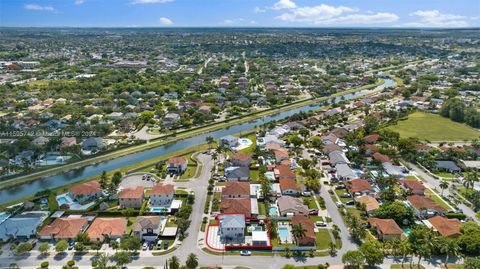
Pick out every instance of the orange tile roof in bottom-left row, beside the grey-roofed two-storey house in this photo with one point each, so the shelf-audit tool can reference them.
(107, 226)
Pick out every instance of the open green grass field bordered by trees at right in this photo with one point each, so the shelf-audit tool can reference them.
(432, 127)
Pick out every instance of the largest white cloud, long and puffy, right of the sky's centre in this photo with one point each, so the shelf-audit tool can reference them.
(340, 15)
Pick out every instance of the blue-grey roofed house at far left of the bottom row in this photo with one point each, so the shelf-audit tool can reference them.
(22, 226)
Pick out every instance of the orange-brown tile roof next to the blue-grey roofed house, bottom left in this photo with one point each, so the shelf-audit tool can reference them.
(64, 228)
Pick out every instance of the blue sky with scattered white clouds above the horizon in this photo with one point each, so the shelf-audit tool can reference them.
(241, 13)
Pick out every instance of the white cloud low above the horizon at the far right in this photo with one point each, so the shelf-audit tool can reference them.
(434, 18)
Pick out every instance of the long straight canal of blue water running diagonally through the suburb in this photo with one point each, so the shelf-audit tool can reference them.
(17, 192)
